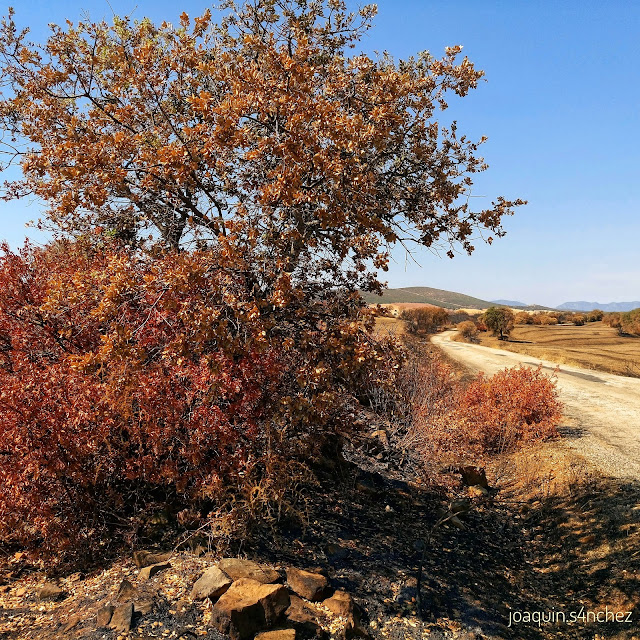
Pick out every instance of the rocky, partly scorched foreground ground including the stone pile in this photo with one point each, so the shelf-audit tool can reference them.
(549, 535)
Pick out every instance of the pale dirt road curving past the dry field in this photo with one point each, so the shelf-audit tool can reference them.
(602, 411)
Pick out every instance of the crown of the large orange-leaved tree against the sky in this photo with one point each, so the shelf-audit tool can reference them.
(262, 131)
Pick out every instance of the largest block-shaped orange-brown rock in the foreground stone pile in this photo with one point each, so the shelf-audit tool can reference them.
(249, 606)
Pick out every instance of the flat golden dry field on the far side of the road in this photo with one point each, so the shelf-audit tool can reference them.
(593, 346)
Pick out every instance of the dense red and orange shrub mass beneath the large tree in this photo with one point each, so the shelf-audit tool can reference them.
(127, 382)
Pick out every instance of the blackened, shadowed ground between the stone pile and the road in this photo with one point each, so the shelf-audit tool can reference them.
(543, 544)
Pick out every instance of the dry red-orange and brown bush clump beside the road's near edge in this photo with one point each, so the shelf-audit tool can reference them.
(449, 422)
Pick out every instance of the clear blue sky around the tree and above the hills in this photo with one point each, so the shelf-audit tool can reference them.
(561, 108)
